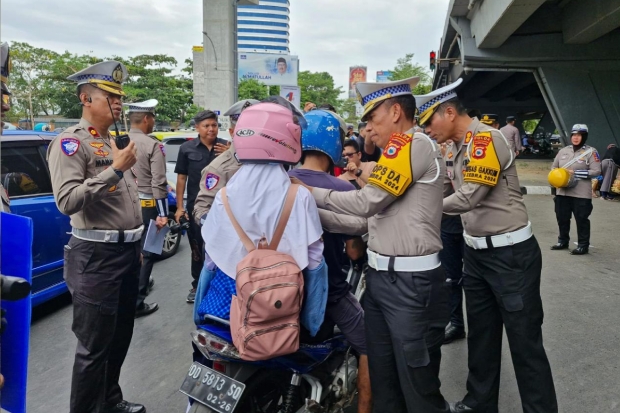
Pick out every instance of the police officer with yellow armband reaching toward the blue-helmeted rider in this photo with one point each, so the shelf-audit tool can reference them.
(406, 301)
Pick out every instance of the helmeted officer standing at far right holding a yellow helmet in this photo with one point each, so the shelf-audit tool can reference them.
(577, 198)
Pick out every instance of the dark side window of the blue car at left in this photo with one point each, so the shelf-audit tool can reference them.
(24, 170)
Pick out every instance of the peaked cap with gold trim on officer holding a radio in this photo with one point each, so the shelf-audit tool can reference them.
(108, 76)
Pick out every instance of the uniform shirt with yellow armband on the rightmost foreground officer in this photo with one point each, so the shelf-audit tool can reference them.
(480, 168)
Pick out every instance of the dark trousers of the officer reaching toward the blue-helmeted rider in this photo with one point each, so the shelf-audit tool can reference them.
(406, 314)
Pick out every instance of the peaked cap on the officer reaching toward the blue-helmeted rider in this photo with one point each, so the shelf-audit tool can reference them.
(371, 95)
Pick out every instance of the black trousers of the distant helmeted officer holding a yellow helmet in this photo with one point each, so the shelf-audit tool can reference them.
(581, 208)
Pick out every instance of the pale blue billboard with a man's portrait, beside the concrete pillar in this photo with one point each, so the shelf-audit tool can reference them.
(269, 69)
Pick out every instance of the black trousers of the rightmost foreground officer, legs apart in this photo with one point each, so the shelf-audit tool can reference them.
(502, 289)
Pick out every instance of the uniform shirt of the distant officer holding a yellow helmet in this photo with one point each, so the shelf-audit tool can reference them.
(591, 163)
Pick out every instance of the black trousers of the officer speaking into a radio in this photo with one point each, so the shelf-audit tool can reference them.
(103, 280)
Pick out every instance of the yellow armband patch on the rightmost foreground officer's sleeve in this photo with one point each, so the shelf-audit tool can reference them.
(483, 167)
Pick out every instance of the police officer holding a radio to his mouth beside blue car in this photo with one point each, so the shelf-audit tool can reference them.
(93, 182)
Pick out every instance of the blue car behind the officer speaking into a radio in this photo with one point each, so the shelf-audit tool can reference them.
(25, 176)
